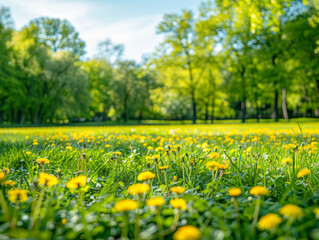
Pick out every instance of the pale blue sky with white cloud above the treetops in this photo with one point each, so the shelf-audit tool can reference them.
(129, 22)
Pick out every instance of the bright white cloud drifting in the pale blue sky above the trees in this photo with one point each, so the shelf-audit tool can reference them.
(137, 34)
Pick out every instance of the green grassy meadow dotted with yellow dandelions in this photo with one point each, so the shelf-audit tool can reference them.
(221, 181)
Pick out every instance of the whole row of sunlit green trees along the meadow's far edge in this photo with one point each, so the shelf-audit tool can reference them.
(233, 59)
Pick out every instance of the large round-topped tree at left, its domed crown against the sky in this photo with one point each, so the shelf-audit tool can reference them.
(46, 77)
